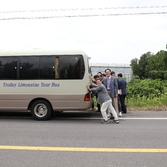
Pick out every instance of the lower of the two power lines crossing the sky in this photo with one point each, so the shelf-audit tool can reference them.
(82, 15)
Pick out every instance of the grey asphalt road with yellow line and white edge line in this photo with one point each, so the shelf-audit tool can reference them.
(78, 139)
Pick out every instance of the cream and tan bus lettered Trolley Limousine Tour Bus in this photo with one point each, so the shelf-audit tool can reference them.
(44, 81)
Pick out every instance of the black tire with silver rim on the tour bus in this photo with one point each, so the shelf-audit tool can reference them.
(41, 110)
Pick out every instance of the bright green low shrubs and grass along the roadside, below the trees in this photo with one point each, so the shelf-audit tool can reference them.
(147, 94)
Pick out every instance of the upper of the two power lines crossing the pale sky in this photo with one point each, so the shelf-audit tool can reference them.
(81, 9)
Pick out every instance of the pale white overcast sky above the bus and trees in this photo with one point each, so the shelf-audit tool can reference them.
(111, 38)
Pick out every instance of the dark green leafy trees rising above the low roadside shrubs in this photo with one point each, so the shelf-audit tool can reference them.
(150, 65)
